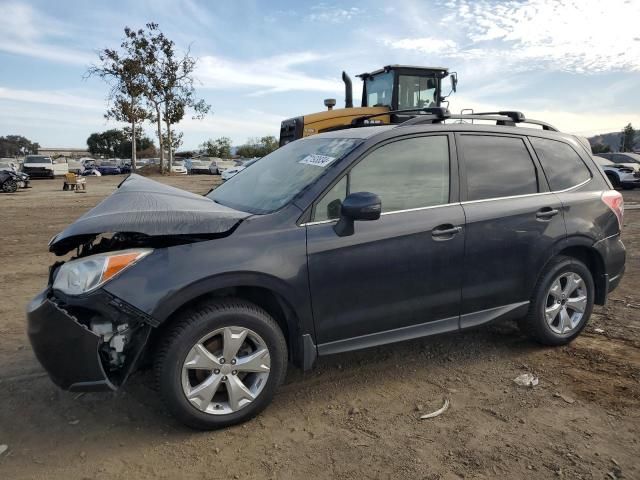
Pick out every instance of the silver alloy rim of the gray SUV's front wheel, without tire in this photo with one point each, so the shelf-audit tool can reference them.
(226, 370)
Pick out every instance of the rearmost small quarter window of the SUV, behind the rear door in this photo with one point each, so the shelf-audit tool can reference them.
(561, 164)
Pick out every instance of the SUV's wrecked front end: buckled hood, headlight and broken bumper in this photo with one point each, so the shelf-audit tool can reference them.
(86, 338)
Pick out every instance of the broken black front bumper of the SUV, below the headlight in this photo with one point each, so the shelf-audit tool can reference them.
(87, 344)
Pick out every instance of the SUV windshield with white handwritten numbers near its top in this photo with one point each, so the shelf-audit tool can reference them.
(280, 176)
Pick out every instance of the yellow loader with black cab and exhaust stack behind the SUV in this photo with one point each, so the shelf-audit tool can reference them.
(389, 95)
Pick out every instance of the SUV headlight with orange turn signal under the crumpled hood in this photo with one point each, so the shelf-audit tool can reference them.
(86, 274)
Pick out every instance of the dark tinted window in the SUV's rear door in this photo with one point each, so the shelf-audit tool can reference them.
(497, 167)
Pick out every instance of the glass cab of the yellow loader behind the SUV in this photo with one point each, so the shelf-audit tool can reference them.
(401, 87)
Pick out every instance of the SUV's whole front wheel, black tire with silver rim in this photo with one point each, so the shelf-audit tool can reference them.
(201, 386)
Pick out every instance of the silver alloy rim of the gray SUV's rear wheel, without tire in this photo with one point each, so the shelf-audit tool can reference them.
(566, 303)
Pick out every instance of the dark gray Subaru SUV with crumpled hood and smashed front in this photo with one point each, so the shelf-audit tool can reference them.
(335, 242)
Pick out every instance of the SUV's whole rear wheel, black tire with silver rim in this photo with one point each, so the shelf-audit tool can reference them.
(562, 302)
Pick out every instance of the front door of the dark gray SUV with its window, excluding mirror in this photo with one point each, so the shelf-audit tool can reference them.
(397, 277)
